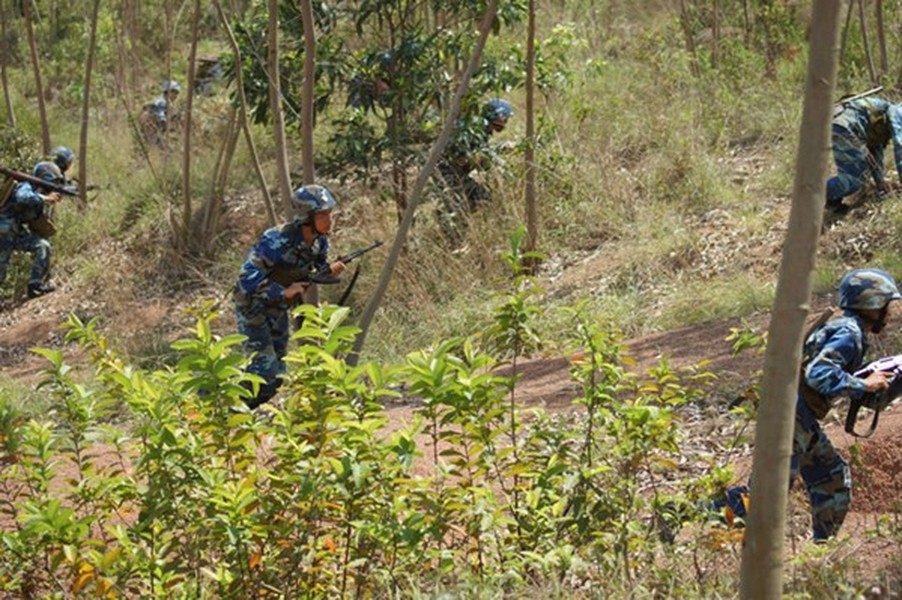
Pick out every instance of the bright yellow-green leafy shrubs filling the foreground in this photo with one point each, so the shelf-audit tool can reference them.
(162, 484)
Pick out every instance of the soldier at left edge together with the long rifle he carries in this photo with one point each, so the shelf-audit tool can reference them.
(25, 224)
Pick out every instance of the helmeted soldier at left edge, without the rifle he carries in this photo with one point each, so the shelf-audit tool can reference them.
(26, 204)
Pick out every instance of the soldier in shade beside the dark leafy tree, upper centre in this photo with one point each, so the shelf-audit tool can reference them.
(464, 154)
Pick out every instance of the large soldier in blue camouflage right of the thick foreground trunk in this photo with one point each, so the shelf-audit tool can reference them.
(830, 355)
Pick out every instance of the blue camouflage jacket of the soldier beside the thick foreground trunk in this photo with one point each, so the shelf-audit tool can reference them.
(832, 353)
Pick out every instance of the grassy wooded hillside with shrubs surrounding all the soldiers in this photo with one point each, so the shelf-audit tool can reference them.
(664, 143)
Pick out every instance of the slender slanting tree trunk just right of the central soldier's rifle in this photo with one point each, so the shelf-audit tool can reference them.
(434, 153)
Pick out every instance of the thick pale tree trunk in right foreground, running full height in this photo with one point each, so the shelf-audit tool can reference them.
(762, 557)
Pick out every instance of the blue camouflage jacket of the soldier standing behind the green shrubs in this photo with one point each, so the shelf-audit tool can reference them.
(279, 247)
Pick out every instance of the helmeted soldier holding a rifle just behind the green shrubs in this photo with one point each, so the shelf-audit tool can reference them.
(261, 304)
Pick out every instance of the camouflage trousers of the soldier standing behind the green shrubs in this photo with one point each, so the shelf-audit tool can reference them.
(267, 331)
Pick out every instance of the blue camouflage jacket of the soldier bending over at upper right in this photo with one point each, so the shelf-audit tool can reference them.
(875, 122)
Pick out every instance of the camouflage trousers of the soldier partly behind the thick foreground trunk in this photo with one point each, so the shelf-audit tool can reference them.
(825, 473)
